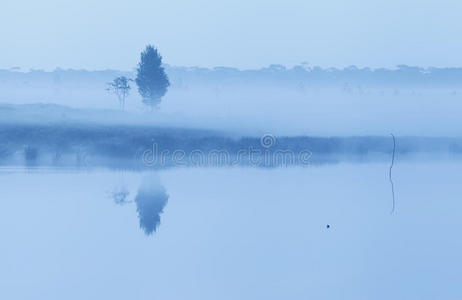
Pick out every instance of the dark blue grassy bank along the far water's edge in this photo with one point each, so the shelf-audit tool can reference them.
(143, 146)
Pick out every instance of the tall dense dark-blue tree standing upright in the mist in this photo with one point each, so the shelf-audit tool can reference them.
(151, 78)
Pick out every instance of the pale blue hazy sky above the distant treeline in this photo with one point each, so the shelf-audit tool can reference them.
(246, 34)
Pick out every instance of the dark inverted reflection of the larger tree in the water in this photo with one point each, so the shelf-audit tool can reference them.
(150, 202)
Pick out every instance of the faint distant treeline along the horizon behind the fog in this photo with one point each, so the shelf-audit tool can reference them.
(402, 76)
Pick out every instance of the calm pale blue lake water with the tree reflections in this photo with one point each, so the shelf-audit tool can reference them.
(318, 232)
